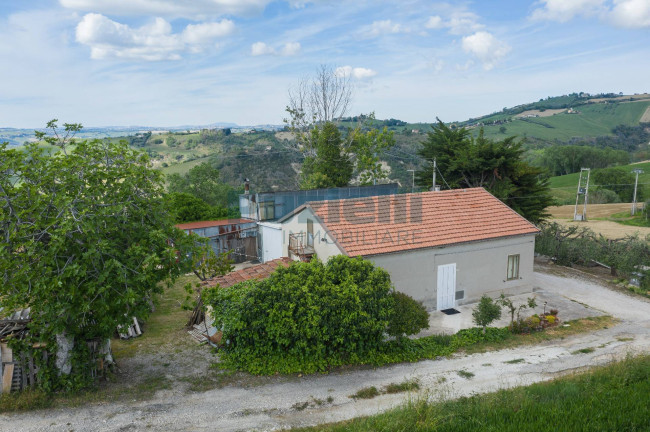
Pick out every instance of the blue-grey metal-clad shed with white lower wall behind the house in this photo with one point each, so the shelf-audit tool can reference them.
(267, 207)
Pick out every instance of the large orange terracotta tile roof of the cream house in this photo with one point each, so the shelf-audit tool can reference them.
(395, 223)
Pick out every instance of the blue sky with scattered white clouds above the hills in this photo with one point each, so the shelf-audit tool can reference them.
(196, 62)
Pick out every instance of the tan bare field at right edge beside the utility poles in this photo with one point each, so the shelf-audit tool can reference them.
(595, 213)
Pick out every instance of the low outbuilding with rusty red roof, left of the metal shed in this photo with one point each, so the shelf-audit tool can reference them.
(236, 235)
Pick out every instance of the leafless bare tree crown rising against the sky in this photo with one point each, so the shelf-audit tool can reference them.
(318, 99)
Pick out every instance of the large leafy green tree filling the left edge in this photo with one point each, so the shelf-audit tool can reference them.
(85, 239)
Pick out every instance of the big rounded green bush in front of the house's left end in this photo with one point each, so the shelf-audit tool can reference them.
(304, 318)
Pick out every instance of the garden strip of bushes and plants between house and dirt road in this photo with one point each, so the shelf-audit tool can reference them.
(315, 317)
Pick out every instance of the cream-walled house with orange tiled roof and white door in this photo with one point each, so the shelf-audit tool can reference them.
(442, 248)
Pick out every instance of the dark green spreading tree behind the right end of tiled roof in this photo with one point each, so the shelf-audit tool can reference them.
(464, 161)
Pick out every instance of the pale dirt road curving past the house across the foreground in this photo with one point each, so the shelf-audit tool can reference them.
(304, 401)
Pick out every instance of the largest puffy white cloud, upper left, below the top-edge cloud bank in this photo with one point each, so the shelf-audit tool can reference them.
(154, 41)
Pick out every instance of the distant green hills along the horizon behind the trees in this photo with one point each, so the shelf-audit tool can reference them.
(270, 158)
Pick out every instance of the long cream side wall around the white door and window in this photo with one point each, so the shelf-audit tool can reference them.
(480, 269)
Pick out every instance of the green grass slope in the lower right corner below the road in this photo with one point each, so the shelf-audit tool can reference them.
(611, 398)
